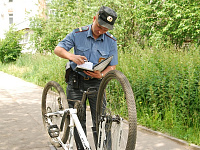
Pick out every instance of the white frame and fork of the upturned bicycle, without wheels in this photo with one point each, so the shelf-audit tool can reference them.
(74, 121)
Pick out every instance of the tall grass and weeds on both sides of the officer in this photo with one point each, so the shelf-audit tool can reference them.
(165, 81)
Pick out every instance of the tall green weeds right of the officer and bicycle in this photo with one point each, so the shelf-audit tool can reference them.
(166, 84)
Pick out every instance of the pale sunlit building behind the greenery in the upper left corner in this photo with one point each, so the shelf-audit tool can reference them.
(18, 12)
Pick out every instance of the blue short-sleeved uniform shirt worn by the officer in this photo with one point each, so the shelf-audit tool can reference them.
(84, 44)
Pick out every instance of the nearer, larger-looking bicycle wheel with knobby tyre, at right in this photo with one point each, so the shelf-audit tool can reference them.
(115, 98)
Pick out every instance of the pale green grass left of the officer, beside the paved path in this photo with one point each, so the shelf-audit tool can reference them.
(37, 68)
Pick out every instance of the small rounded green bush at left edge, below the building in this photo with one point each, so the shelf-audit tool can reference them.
(10, 49)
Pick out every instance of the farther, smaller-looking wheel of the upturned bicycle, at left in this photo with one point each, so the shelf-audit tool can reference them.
(53, 100)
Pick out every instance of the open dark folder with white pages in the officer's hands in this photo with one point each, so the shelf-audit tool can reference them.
(88, 66)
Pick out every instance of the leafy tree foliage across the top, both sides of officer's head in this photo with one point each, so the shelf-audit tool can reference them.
(145, 20)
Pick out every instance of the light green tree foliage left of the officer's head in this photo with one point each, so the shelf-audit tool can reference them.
(62, 16)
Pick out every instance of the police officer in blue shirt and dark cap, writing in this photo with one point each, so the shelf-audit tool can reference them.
(91, 43)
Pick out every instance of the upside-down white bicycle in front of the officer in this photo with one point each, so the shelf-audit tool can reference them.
(116, 118)
